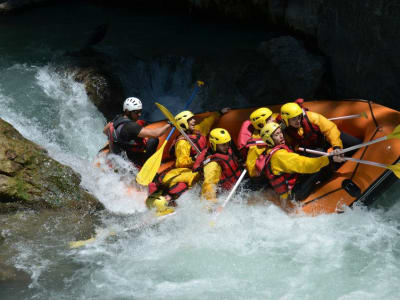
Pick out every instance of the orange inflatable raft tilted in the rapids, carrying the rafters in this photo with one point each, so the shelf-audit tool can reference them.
(352, 181)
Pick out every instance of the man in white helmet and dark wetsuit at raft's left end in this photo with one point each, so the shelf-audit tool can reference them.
(126, 133)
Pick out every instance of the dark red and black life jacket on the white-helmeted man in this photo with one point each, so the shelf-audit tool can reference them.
(116, 144)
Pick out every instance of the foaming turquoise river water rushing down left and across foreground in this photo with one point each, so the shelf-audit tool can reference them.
(253, 252)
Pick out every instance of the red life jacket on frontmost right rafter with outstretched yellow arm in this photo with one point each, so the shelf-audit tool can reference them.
(284, 182)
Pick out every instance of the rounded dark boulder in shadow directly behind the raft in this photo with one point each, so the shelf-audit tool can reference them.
(281, 69)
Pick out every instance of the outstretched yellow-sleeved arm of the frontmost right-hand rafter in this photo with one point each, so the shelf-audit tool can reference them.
(283, 161)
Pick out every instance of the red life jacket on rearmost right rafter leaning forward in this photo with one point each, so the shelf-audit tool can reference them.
(312, 136)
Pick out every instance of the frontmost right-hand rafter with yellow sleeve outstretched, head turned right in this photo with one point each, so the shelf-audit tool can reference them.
(282, 167)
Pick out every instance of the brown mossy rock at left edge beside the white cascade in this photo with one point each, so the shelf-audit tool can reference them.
(29, 178)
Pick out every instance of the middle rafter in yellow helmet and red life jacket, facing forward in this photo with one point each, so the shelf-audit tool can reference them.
(221, 166)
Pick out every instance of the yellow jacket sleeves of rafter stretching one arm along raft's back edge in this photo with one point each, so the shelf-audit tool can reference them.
(182, 147)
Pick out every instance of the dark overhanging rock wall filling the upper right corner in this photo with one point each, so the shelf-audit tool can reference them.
(359, 38)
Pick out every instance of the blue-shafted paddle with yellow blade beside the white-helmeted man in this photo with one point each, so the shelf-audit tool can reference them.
(151, 166)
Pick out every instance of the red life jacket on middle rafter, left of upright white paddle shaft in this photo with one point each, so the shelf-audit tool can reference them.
(230, 168)
